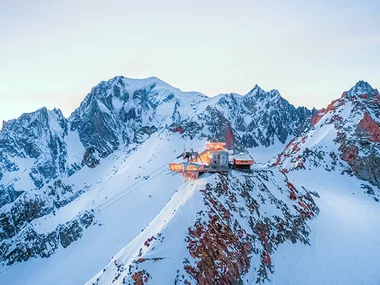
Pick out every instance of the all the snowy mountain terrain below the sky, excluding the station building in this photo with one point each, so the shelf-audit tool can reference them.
(90, 199)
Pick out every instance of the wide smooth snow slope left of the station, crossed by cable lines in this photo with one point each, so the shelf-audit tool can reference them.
(121, 175)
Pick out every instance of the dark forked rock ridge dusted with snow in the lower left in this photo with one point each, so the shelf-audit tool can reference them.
(20, 240)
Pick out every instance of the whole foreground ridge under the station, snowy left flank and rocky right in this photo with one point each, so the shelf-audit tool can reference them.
(216, 230)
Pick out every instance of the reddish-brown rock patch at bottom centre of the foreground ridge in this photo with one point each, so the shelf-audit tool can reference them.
(223, 250)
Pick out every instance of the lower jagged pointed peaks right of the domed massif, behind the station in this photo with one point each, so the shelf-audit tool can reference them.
(259, 118)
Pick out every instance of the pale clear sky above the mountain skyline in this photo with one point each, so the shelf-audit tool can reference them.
(53, 52)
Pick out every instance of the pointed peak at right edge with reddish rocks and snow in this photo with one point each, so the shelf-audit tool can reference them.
(345, 137)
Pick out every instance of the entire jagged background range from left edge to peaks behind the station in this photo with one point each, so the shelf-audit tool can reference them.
(43, 148)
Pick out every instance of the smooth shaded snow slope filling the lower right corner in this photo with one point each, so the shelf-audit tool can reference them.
(345, 248)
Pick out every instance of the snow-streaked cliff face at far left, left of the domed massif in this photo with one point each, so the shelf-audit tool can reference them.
(32, 149)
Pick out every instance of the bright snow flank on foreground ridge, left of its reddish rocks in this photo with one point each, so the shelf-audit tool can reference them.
(175, 213)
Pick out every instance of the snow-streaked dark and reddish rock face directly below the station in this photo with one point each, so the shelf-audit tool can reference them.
(223, 248)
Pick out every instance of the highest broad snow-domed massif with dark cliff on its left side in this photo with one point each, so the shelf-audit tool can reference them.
(123, 111)
